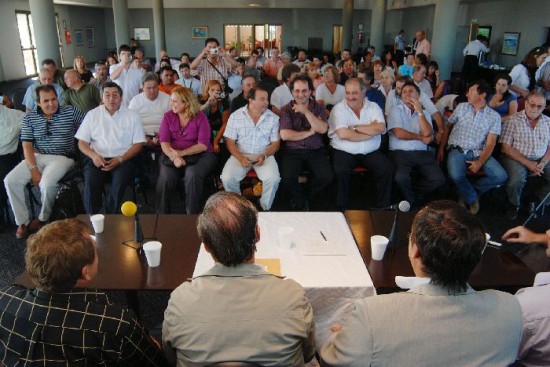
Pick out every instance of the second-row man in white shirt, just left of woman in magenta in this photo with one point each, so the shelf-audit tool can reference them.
(151, 105)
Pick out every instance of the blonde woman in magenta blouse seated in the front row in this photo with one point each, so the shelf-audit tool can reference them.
(184, 137)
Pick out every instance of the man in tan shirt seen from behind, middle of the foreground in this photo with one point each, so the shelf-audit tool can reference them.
(237, 311)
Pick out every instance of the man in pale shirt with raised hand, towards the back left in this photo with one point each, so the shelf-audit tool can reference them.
(127, 74)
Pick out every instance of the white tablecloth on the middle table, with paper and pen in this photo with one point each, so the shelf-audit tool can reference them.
(331, 282)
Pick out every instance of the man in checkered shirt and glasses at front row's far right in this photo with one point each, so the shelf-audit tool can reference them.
(526, 146)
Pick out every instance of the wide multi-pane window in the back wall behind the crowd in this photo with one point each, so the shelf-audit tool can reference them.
(247, 37)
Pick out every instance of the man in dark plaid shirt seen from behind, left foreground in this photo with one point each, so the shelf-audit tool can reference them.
(60, 322)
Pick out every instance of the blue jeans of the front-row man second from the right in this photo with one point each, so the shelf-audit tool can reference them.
(495, 175)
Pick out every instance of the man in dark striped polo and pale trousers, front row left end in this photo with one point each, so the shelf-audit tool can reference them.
(49, 147)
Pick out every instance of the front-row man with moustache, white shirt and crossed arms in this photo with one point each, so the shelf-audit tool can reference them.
(355, 129)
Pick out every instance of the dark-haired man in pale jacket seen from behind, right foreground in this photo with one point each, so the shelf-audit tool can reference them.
(442, 322)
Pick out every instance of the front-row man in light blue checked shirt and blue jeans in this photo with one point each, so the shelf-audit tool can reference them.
(471, 143)
